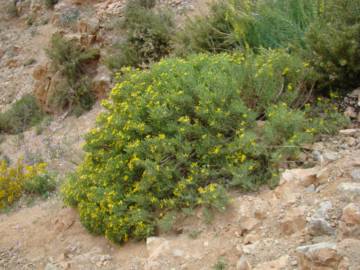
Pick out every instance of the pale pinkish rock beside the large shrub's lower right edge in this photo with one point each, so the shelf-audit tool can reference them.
(304, 177)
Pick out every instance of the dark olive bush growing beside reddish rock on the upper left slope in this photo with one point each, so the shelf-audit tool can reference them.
(71, 60)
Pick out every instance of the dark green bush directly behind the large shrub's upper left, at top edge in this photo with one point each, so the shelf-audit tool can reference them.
(148, 36)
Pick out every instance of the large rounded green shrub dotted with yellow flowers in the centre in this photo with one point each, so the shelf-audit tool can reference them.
(178, 135)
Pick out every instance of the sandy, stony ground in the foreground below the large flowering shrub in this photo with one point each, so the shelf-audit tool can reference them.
(310, 221)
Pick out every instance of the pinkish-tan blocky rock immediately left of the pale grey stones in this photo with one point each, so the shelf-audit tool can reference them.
(293, 222)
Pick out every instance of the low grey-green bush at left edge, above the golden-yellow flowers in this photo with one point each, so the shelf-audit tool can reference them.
(24, 113)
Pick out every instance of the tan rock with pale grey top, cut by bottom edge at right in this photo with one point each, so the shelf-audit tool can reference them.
(321, 256)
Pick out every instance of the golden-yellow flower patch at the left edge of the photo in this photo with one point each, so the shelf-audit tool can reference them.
(13, 179)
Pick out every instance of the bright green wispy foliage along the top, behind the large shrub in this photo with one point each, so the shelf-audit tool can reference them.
(249, 24)
